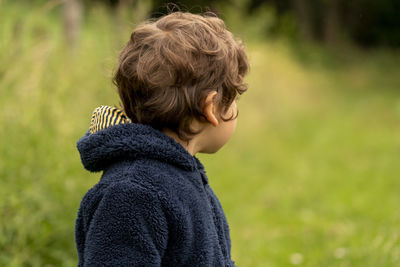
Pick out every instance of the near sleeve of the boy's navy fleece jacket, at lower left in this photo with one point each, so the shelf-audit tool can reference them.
(127, 228)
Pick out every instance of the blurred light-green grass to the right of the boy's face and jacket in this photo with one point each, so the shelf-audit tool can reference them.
(313, 168)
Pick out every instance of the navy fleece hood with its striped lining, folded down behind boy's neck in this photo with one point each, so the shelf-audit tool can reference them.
(112, 137)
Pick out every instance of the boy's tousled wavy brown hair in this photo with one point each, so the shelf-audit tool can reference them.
(172, 68)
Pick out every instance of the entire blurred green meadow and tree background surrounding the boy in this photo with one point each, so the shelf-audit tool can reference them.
(311, 176)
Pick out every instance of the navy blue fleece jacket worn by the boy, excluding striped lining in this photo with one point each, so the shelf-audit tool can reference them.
(153, 205)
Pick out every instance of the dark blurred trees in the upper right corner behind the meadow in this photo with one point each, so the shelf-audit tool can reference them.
(365, 22)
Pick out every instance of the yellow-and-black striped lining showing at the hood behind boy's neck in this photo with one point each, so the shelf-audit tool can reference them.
(105, 116)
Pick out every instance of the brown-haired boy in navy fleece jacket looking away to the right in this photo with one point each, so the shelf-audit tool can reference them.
(178, 78)
